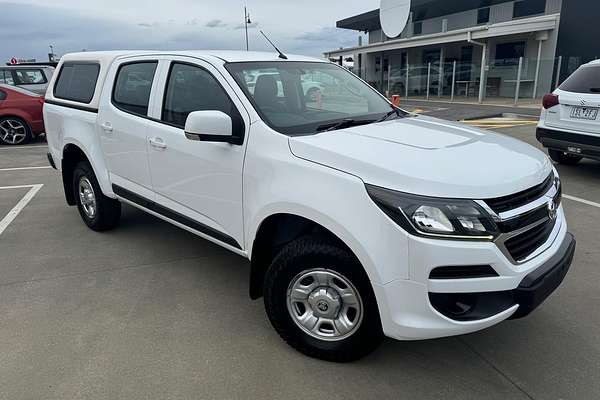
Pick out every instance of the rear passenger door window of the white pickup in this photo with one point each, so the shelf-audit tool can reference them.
(133, 86)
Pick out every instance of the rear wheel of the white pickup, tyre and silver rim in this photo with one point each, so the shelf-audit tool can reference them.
(100, 213)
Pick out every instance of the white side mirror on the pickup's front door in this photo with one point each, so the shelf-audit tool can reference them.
(209, 126)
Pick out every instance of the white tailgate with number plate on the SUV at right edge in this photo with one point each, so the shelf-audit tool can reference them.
(579, 108)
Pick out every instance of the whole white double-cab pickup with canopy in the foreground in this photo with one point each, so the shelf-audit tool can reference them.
(360, 220)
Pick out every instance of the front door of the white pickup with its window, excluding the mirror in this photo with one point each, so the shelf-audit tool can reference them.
(201, 182)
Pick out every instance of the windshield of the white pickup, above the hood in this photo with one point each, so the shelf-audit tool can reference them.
(299, 98)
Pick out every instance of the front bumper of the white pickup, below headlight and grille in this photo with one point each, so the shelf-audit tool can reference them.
(413, 309)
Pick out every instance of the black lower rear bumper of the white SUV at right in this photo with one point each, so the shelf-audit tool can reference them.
(574, 143)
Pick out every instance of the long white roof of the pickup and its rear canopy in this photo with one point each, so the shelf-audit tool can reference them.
(225, 55)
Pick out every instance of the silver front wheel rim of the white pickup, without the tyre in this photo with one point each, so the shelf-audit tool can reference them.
(324, 304)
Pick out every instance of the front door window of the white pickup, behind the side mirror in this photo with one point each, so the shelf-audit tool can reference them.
(192, 88)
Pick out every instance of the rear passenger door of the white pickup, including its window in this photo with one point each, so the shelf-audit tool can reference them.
(123, 123)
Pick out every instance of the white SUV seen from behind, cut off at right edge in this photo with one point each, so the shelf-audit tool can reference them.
(569, 124)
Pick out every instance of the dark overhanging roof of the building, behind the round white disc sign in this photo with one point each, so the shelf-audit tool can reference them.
(422, 9)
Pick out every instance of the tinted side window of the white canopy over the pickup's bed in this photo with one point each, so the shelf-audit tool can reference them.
(77, 82)
